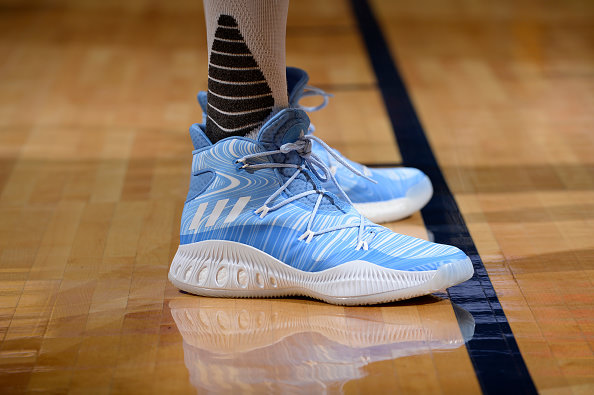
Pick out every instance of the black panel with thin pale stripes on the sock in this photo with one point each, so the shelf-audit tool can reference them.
(239, 98)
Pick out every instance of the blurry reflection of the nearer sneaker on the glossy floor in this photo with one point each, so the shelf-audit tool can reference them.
(240, 347)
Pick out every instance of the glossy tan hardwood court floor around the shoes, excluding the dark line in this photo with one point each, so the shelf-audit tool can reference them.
(95, 101)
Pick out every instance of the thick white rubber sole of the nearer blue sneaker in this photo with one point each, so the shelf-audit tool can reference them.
(230, 269)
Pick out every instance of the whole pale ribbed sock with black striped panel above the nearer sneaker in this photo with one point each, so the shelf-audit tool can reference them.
(247, 69)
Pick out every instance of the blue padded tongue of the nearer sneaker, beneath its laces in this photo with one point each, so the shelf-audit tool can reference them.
(286, 127)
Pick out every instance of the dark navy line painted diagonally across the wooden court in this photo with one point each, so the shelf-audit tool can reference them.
(494, 353)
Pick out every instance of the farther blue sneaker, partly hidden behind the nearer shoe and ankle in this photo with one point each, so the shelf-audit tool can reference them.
(398, 191)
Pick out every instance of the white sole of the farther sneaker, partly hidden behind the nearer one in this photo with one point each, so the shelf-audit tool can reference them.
(393, 210)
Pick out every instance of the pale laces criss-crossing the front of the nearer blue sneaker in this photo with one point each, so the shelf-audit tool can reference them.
(311, 162)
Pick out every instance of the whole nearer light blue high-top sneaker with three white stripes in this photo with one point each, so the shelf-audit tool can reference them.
(258, 223)
